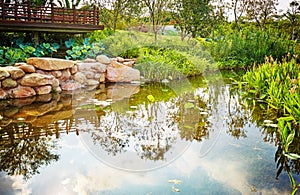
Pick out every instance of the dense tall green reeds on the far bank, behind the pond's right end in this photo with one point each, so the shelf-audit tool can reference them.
(248, 46)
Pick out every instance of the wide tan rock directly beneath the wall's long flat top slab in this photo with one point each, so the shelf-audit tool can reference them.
(37, 79)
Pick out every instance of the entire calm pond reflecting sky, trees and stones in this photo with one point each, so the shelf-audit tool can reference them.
(196, 136)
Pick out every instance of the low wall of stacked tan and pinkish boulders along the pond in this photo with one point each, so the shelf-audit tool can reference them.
(39, 76)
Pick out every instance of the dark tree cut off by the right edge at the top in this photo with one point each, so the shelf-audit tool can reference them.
(293, 15)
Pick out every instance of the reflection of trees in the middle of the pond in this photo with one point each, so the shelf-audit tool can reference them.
(151, 129)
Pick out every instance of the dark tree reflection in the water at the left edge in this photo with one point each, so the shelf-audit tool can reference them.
(23, 154)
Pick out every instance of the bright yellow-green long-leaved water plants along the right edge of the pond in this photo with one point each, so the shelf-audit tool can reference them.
(278, 85)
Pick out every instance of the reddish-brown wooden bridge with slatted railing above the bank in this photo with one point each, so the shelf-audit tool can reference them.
(27, 17)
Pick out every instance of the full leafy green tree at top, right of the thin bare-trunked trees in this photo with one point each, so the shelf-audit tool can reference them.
(192, 16)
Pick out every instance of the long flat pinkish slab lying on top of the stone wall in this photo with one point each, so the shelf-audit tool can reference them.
(50, 63)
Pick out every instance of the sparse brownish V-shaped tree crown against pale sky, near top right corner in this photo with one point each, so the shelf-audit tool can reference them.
(261, 11)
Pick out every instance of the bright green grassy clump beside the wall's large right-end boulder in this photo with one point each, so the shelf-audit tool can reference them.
(161, 63)
